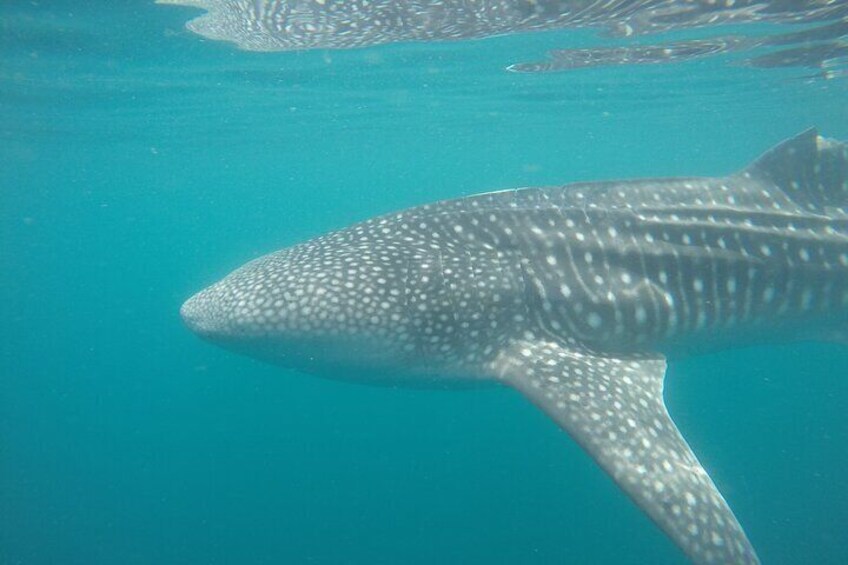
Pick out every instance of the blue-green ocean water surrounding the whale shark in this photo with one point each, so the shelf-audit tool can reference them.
(138, 163)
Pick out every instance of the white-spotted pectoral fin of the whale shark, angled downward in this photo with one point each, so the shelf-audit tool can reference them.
(614, 409)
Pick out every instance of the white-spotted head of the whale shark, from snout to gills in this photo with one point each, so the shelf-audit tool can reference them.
(380, 302)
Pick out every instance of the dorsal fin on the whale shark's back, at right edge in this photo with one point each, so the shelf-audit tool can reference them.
(810, 169)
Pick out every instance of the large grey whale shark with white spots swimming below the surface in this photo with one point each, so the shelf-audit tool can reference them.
(576, 296)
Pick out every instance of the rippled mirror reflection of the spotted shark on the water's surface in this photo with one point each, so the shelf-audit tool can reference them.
(288, 25)
